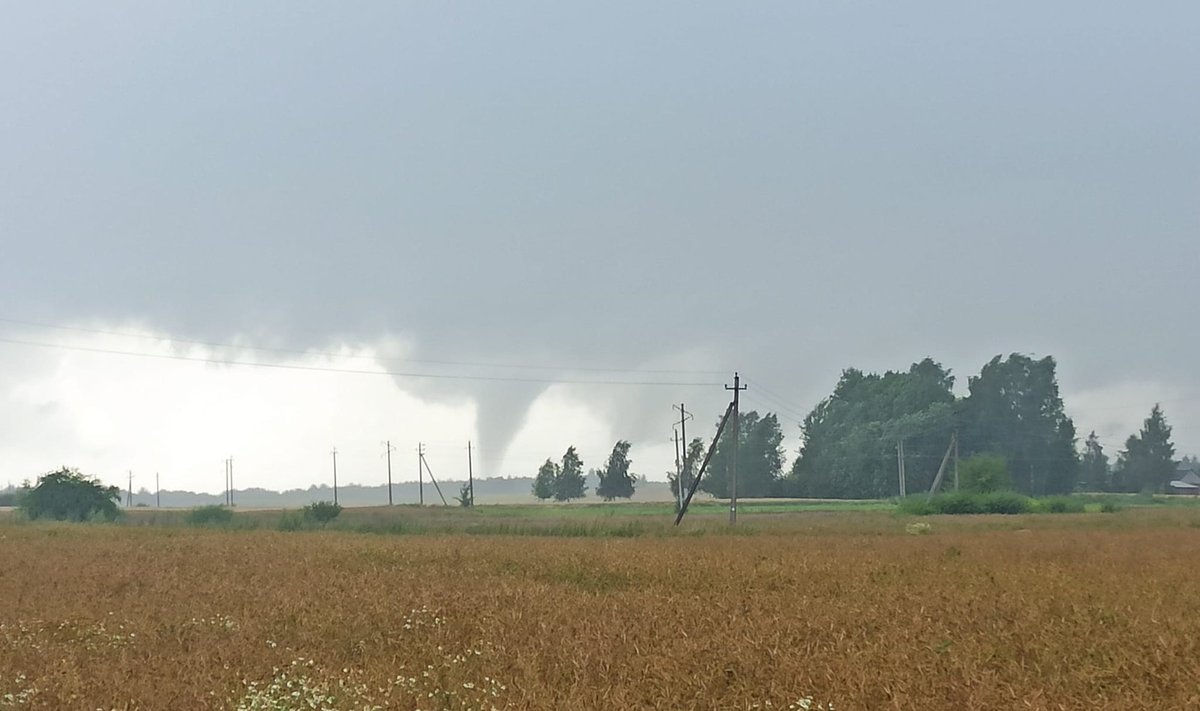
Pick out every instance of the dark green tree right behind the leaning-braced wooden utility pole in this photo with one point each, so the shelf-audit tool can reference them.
(760, 459)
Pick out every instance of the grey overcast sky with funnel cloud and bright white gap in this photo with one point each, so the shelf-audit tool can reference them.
(646, 194)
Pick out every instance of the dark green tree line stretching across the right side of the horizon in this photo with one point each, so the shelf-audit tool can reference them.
(1011, 428)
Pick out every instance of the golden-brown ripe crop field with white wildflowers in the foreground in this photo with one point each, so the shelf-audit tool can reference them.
(1078, 612)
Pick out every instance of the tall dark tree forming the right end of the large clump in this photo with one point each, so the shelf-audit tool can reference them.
(1015, 410)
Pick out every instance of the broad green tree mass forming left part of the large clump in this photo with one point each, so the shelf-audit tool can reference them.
(850, 439)
